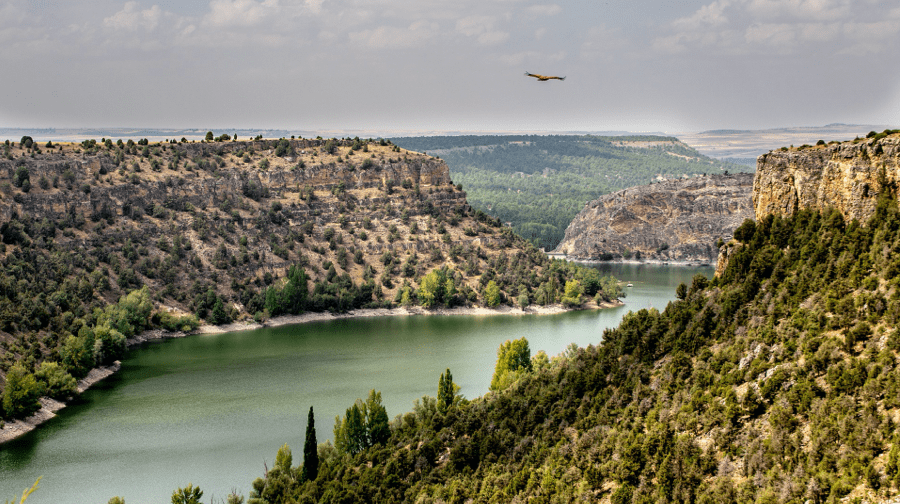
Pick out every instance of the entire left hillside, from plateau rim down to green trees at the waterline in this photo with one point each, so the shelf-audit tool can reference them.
(101, 240)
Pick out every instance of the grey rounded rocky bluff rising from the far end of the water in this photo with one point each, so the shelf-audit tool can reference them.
(671, 221)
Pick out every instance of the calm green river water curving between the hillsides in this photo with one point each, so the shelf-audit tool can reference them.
(212, 409)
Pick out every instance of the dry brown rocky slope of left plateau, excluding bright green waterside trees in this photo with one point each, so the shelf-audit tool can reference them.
(221, 222)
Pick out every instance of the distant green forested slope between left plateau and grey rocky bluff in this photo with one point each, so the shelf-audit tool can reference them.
(539, 183)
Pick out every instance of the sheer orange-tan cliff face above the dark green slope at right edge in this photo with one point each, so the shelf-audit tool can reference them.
(847, 176)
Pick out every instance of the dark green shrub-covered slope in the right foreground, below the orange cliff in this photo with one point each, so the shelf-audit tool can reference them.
(776, 381)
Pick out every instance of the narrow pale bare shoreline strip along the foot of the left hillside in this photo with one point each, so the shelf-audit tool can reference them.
(16, 428)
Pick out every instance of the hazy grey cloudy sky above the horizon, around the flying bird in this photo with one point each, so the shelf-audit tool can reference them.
(412, 65)
